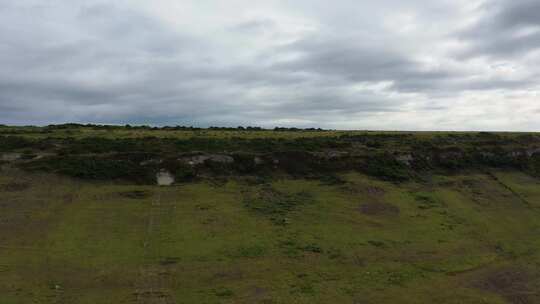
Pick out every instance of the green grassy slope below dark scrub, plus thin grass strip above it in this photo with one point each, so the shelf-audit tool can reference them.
(467, 236)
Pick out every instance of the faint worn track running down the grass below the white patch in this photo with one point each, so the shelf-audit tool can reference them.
(151, 285)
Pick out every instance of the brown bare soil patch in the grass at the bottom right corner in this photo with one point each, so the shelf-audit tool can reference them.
(514, 284)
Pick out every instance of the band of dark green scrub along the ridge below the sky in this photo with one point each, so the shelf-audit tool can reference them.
(137, 154)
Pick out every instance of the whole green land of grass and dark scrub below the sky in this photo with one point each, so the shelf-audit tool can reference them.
(257, 216)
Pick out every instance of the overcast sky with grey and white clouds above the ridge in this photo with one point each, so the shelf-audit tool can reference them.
(343, 64)
